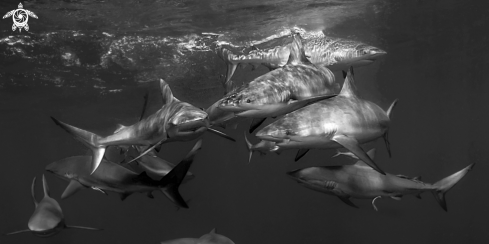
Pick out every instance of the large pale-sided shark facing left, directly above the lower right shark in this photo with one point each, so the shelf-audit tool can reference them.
(343, 121)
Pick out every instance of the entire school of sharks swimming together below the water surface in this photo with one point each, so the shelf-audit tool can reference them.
(309, 108)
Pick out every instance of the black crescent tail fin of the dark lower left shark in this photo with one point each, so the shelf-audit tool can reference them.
(170, 182)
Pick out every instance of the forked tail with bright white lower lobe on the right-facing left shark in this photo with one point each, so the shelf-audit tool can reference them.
(89, 139)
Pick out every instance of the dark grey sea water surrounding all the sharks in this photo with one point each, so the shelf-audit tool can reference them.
(89, 63)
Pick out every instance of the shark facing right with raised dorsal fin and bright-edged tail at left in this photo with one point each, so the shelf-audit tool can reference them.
(174, 121)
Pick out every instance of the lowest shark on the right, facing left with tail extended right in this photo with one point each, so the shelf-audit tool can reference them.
(361, 181)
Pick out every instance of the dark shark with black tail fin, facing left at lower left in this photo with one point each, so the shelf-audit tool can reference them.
(113, 177)
